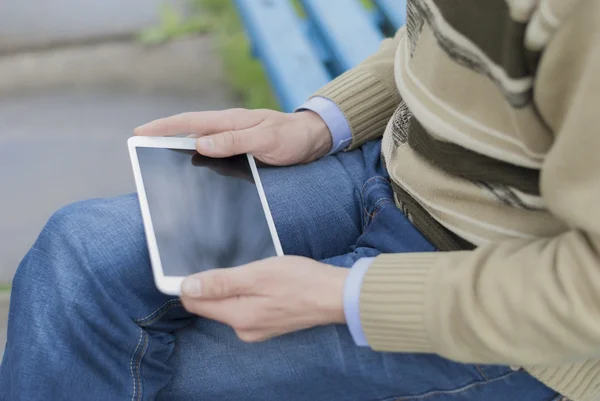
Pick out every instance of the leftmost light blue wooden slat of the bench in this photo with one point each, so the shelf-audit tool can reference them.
(278, 38)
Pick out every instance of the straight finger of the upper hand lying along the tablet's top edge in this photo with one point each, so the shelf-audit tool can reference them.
(200, 123)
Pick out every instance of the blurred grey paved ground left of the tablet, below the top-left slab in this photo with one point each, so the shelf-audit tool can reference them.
(65, 117)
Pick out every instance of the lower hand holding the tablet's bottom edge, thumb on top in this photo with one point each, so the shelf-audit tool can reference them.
(269, 298)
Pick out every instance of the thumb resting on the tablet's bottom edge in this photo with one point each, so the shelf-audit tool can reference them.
(217, 284)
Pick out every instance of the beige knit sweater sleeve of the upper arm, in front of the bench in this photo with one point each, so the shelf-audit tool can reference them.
(367, 94)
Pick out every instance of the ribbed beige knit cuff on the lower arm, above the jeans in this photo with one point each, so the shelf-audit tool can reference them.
(394, 303)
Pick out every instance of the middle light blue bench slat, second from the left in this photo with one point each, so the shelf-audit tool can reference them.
(346, 28)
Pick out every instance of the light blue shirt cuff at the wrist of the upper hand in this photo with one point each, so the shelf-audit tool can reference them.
(341, 134)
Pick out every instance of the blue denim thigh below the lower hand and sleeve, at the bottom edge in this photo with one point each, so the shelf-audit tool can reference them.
(322, 364)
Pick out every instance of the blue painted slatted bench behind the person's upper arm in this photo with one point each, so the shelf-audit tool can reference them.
(301, 54)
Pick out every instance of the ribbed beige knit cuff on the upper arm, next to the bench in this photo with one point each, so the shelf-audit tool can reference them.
(365, 101)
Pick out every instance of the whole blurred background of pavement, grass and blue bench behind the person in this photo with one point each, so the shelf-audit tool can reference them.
(77, 76)
